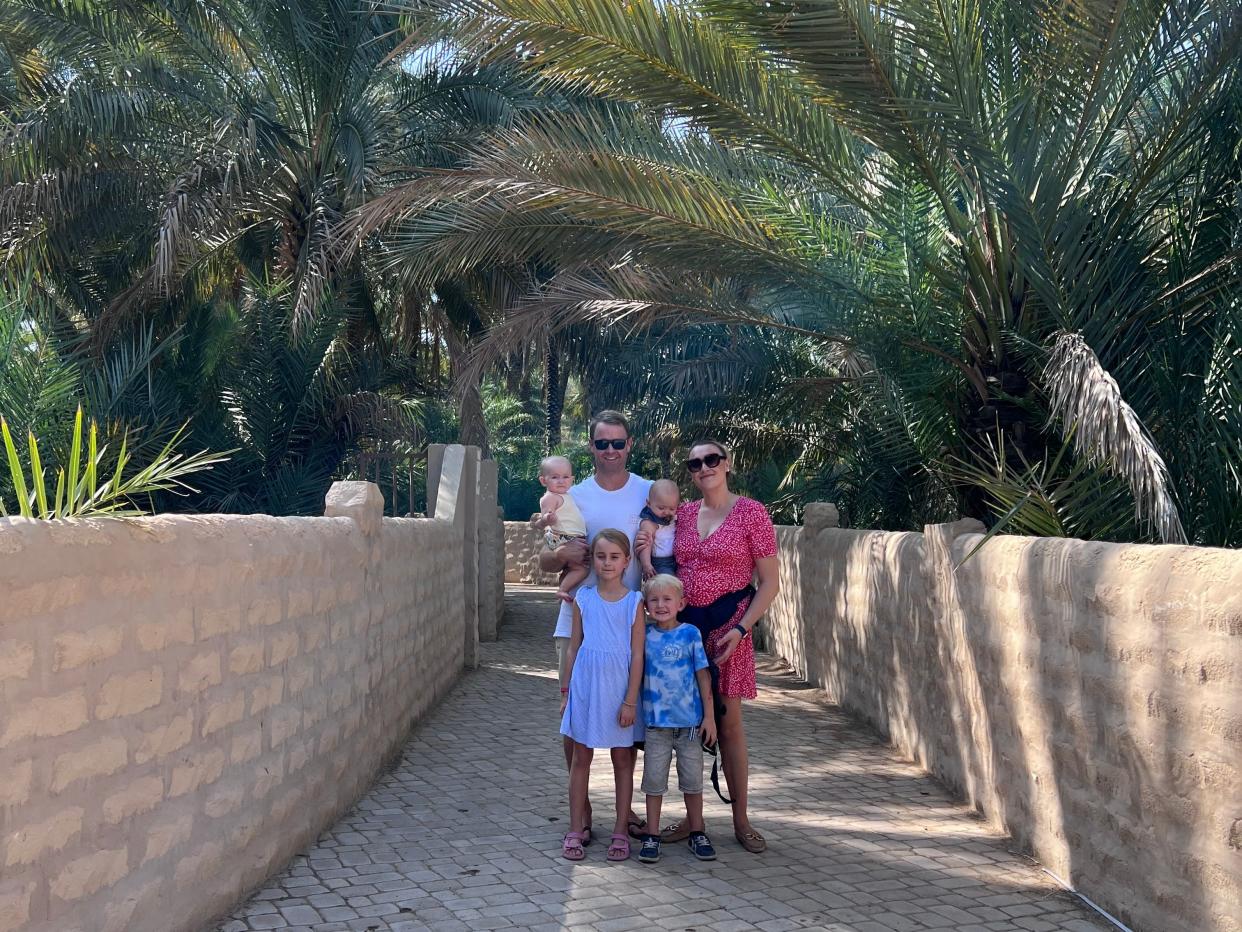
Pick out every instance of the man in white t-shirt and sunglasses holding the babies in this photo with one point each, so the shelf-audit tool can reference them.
(610, 498)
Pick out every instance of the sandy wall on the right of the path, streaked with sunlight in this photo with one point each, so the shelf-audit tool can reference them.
(1085, 698)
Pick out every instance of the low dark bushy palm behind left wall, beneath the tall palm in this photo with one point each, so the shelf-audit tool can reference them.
(292, 403)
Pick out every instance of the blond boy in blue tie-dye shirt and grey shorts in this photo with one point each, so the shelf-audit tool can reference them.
(676, 690)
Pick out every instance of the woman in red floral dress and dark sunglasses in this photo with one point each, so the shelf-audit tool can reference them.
(722, 544)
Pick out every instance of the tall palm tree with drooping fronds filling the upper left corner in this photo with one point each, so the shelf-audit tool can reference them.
(156, 156)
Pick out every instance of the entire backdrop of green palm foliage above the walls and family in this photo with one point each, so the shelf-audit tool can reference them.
(848, 239)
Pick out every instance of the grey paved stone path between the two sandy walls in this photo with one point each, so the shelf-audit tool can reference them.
(466, 833)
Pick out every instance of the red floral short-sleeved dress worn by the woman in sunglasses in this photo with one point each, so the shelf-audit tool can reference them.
(725, 564)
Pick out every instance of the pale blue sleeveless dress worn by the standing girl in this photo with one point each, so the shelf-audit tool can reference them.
(602, 673)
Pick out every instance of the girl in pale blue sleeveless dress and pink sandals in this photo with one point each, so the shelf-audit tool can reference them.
(604, 675)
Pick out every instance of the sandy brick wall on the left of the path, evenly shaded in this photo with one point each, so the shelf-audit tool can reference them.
(186, 701)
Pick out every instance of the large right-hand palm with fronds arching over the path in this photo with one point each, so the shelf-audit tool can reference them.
(968, 211)
